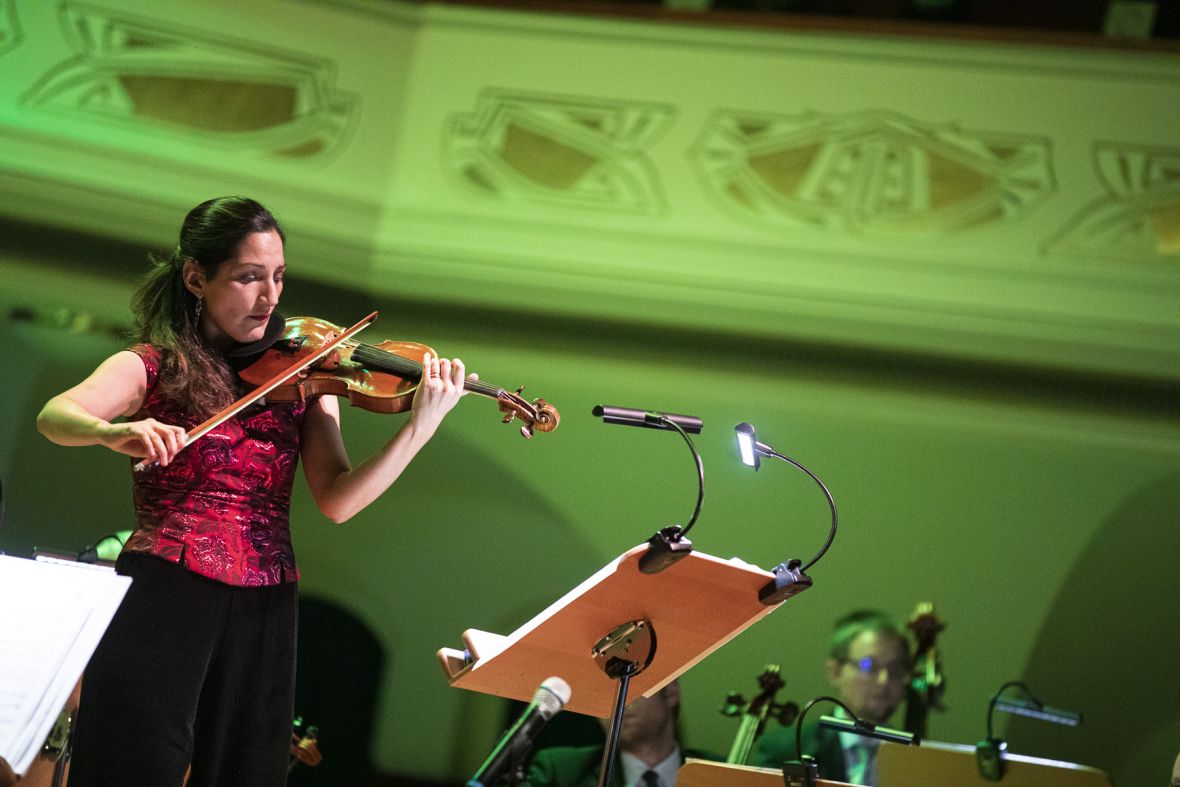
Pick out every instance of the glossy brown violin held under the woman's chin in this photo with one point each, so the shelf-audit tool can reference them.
(381, 378)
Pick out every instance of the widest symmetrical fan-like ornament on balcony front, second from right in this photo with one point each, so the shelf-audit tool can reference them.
(874, 174)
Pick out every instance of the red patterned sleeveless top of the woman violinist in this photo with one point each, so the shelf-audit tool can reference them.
(221, 507)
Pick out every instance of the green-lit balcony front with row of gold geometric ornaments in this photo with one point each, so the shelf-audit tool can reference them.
(954, 200)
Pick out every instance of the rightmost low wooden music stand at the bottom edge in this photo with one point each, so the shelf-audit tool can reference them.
(954, 765)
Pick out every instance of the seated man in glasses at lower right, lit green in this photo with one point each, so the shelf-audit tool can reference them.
(869, 668)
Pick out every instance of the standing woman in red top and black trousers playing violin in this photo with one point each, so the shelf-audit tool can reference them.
(198, 667)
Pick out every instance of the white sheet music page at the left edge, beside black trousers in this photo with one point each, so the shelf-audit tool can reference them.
(53, 617)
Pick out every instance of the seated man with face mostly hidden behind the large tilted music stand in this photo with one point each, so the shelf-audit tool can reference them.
(650, 752)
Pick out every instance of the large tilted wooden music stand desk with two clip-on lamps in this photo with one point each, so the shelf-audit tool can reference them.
(692, 608)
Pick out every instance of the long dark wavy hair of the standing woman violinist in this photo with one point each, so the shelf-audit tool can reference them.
(194, 375)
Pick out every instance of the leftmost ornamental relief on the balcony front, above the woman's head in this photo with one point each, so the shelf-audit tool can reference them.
(211, 90)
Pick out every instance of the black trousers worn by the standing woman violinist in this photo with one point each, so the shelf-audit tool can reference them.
(191, 672)
